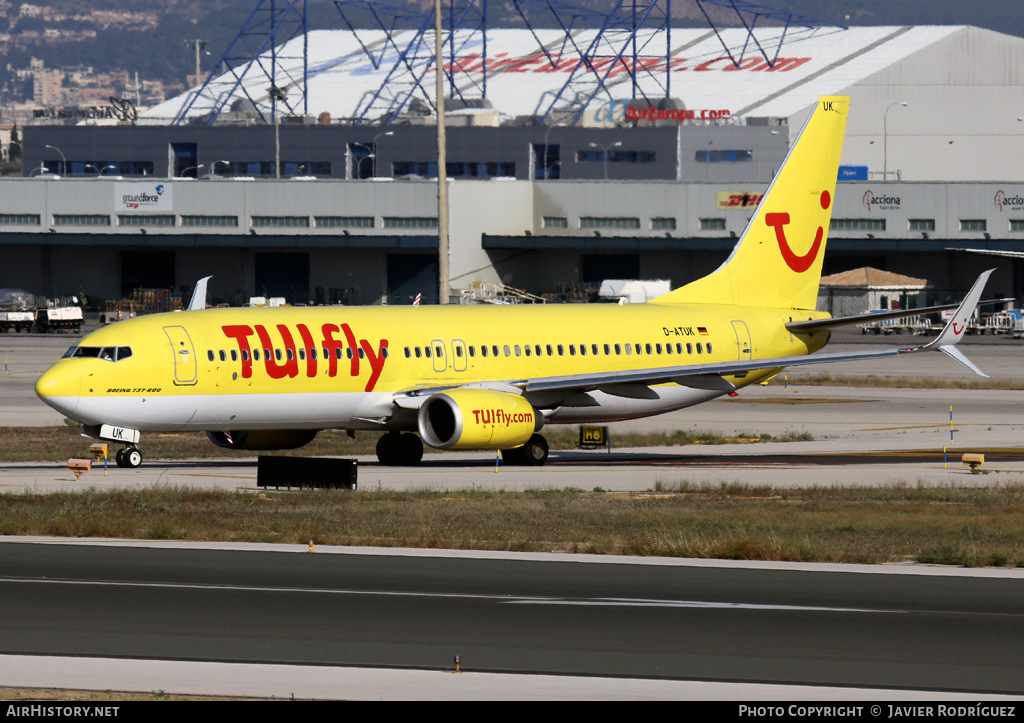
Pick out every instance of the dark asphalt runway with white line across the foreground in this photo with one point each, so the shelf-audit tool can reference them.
(623, 621)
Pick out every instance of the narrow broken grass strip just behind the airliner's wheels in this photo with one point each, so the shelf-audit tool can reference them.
(60, 444)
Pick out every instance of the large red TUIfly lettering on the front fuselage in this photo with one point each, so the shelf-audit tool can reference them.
(280, 366)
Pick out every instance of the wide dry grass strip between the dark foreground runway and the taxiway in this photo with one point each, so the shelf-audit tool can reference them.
(958, 526)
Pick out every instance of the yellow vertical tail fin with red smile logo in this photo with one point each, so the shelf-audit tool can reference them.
(778, 263)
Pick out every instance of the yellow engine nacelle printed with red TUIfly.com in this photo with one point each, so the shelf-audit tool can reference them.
(478, 419)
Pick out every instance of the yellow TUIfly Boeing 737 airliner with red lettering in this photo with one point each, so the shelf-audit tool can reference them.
(481, 377)
